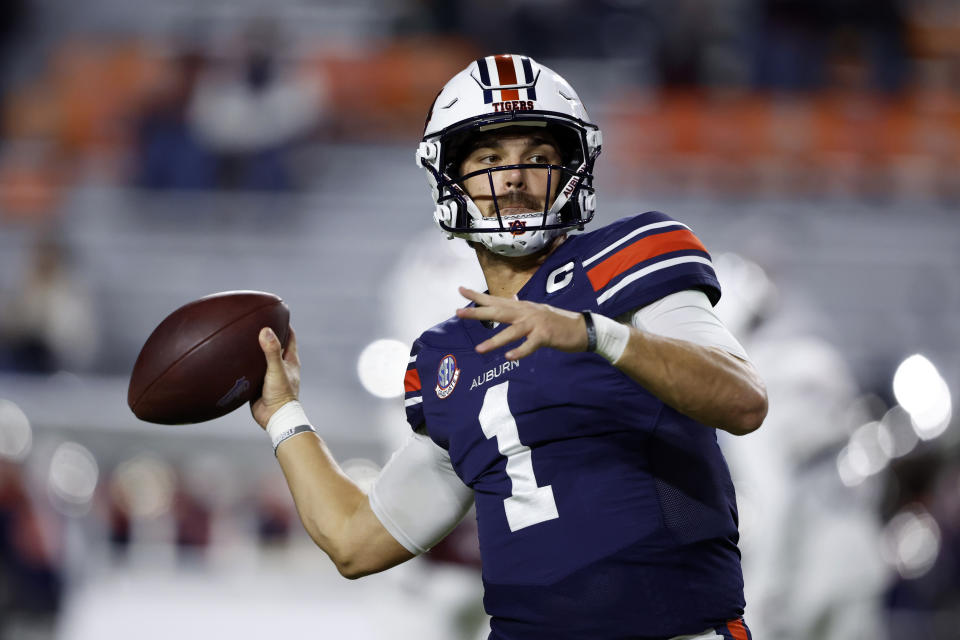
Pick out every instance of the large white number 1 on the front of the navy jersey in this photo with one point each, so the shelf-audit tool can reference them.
(528, 504)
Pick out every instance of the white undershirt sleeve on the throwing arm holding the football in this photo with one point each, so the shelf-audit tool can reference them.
(418, 497)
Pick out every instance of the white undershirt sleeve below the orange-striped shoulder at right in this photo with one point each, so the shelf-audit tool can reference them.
(686, 315)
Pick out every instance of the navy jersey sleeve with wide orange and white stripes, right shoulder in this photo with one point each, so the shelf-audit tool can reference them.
(643, 258)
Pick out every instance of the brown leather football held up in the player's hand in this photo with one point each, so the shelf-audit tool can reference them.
(204, 360)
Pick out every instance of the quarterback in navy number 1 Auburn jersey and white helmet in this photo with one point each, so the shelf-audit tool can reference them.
(575, 403)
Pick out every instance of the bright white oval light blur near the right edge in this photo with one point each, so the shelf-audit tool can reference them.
(923, 393)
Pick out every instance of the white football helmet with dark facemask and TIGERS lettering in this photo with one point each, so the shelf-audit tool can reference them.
(506, 91)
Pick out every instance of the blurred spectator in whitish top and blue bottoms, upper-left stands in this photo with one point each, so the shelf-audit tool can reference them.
(251, 112)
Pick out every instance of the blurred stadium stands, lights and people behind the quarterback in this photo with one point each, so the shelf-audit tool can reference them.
(155, 152)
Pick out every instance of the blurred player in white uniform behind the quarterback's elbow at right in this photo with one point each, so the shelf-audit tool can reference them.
(811, 545)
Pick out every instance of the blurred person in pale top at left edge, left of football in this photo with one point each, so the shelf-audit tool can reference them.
(48, 323)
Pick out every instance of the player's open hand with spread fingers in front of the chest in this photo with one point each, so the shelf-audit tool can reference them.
(541, 324)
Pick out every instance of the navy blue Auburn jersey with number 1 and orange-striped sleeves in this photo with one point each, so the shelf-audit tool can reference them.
(602, 512)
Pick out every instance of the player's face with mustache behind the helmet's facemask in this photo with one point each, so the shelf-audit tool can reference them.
(517, 190)
